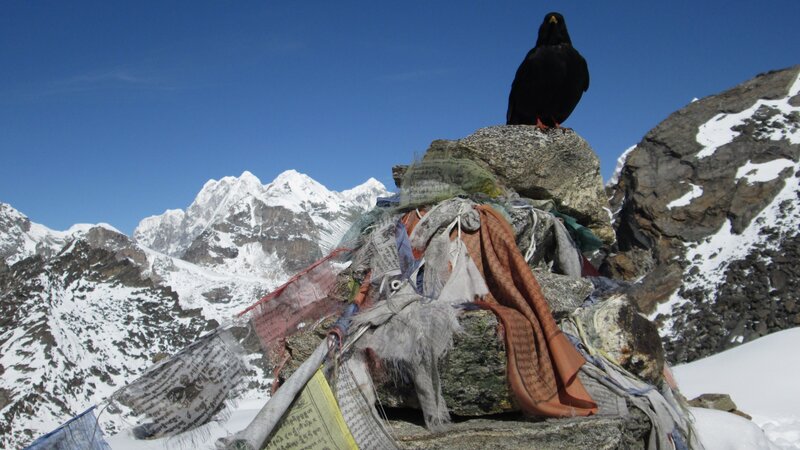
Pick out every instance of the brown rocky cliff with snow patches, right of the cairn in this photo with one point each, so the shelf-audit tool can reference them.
(706, 217)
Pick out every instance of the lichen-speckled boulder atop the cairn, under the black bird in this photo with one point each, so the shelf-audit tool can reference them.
(556, 165)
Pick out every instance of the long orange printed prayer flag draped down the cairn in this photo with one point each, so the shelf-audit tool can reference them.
(542, 364)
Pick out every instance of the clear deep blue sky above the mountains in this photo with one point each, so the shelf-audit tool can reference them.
(114, 111)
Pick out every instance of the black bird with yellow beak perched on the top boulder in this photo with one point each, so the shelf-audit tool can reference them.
(551, 79)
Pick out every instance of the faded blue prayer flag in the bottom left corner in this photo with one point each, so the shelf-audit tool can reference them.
(79, 433)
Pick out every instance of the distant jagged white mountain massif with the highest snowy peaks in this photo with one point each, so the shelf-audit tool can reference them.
(237, 222)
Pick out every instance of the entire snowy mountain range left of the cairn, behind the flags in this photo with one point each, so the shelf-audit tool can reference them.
(84, 311)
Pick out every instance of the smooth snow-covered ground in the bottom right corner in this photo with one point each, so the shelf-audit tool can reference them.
(761, 378)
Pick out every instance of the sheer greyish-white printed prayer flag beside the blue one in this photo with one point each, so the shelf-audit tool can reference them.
(188, 389)
